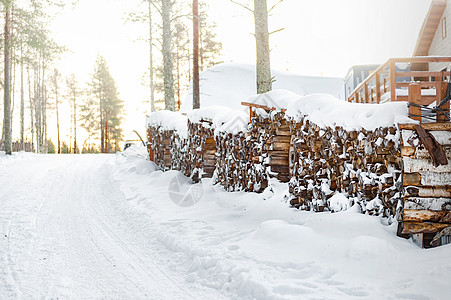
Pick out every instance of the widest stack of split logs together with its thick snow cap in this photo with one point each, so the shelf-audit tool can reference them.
(348, 148)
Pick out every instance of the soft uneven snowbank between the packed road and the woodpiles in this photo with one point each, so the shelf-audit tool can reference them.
(248, 248)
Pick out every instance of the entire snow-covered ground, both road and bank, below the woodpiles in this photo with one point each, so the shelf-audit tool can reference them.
(112, 226)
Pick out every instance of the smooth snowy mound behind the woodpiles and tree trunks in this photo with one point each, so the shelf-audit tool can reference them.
(228, 84)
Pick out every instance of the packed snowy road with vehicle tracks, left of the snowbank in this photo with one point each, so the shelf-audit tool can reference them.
(63, 235)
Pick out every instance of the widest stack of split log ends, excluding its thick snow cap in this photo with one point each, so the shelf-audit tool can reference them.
(365, 165)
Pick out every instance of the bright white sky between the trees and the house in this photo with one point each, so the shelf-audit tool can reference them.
(321, 37)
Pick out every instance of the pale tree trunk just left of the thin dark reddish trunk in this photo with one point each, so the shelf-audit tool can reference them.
(167, 56)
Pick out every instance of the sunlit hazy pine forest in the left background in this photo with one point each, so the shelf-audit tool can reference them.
(39, 97)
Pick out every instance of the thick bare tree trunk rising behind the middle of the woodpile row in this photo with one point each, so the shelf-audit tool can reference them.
(264, 82)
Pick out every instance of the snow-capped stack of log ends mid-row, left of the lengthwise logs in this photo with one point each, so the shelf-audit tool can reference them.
(239, 167)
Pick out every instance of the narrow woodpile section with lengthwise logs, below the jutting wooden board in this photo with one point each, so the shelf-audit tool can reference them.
(271, 135)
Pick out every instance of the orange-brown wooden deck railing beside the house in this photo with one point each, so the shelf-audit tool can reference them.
(387, 84)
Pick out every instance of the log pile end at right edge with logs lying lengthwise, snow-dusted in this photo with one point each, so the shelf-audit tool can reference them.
(426, 154)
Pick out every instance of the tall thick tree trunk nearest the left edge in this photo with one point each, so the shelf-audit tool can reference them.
(7, 84)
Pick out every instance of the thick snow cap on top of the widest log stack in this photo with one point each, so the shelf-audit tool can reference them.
(327, 111)
